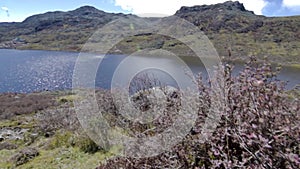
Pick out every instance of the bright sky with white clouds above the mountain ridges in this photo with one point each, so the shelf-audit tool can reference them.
(18, 10)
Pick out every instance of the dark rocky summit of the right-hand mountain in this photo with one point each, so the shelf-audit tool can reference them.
(229, 16)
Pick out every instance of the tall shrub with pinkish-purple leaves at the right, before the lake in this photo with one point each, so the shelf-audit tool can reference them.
(260, 127)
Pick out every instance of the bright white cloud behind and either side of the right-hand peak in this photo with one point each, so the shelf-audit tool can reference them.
(169, 7)
